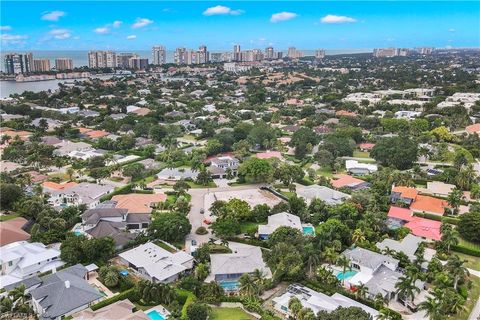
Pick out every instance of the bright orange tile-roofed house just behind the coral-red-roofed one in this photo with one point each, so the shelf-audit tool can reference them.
(416, 202)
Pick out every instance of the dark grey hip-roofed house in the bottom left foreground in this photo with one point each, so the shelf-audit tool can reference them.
(64, 293)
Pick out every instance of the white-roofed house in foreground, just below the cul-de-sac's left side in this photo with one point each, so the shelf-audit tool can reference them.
(157, 264)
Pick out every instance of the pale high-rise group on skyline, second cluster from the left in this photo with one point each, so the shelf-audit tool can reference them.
(112, 59)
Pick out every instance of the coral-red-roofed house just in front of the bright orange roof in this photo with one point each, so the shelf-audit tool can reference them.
(421, 227)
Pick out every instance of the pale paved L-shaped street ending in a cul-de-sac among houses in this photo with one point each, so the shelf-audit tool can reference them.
(197, 204)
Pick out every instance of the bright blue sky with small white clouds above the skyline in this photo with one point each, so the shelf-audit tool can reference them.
(137, 25)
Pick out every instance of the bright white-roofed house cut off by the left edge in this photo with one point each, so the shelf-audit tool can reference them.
(21, 259)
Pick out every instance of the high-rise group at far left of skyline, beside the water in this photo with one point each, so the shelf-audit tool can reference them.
(24, 63)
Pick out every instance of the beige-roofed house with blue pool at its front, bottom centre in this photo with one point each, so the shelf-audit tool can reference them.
(227, 268)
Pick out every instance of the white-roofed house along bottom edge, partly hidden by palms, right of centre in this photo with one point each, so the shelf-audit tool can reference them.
(316, 301)
